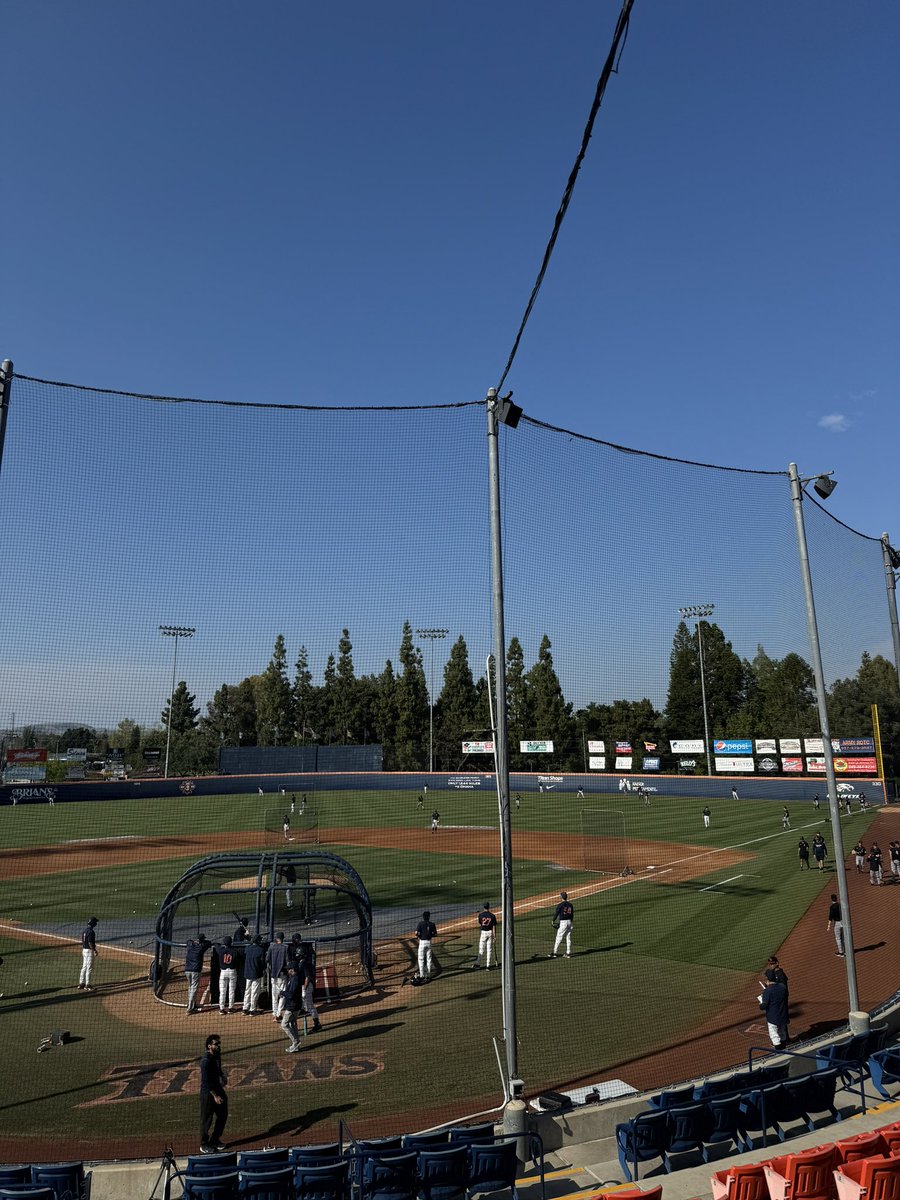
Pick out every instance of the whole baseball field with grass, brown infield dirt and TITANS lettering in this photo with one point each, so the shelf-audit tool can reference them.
(658, 955)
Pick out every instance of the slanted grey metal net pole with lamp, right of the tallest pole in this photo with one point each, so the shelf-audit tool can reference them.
(824, 487)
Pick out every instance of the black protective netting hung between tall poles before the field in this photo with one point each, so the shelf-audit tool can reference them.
(248, 525)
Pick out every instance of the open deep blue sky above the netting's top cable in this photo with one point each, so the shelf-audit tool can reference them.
(349, 203)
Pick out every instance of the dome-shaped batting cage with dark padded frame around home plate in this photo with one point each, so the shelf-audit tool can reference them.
(309, 895)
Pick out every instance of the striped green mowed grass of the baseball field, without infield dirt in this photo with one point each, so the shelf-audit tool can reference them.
(653, 961)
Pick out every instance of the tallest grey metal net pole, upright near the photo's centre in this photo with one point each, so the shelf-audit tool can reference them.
(508, 967)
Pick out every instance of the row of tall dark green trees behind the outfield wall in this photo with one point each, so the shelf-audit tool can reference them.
(759, 698)
